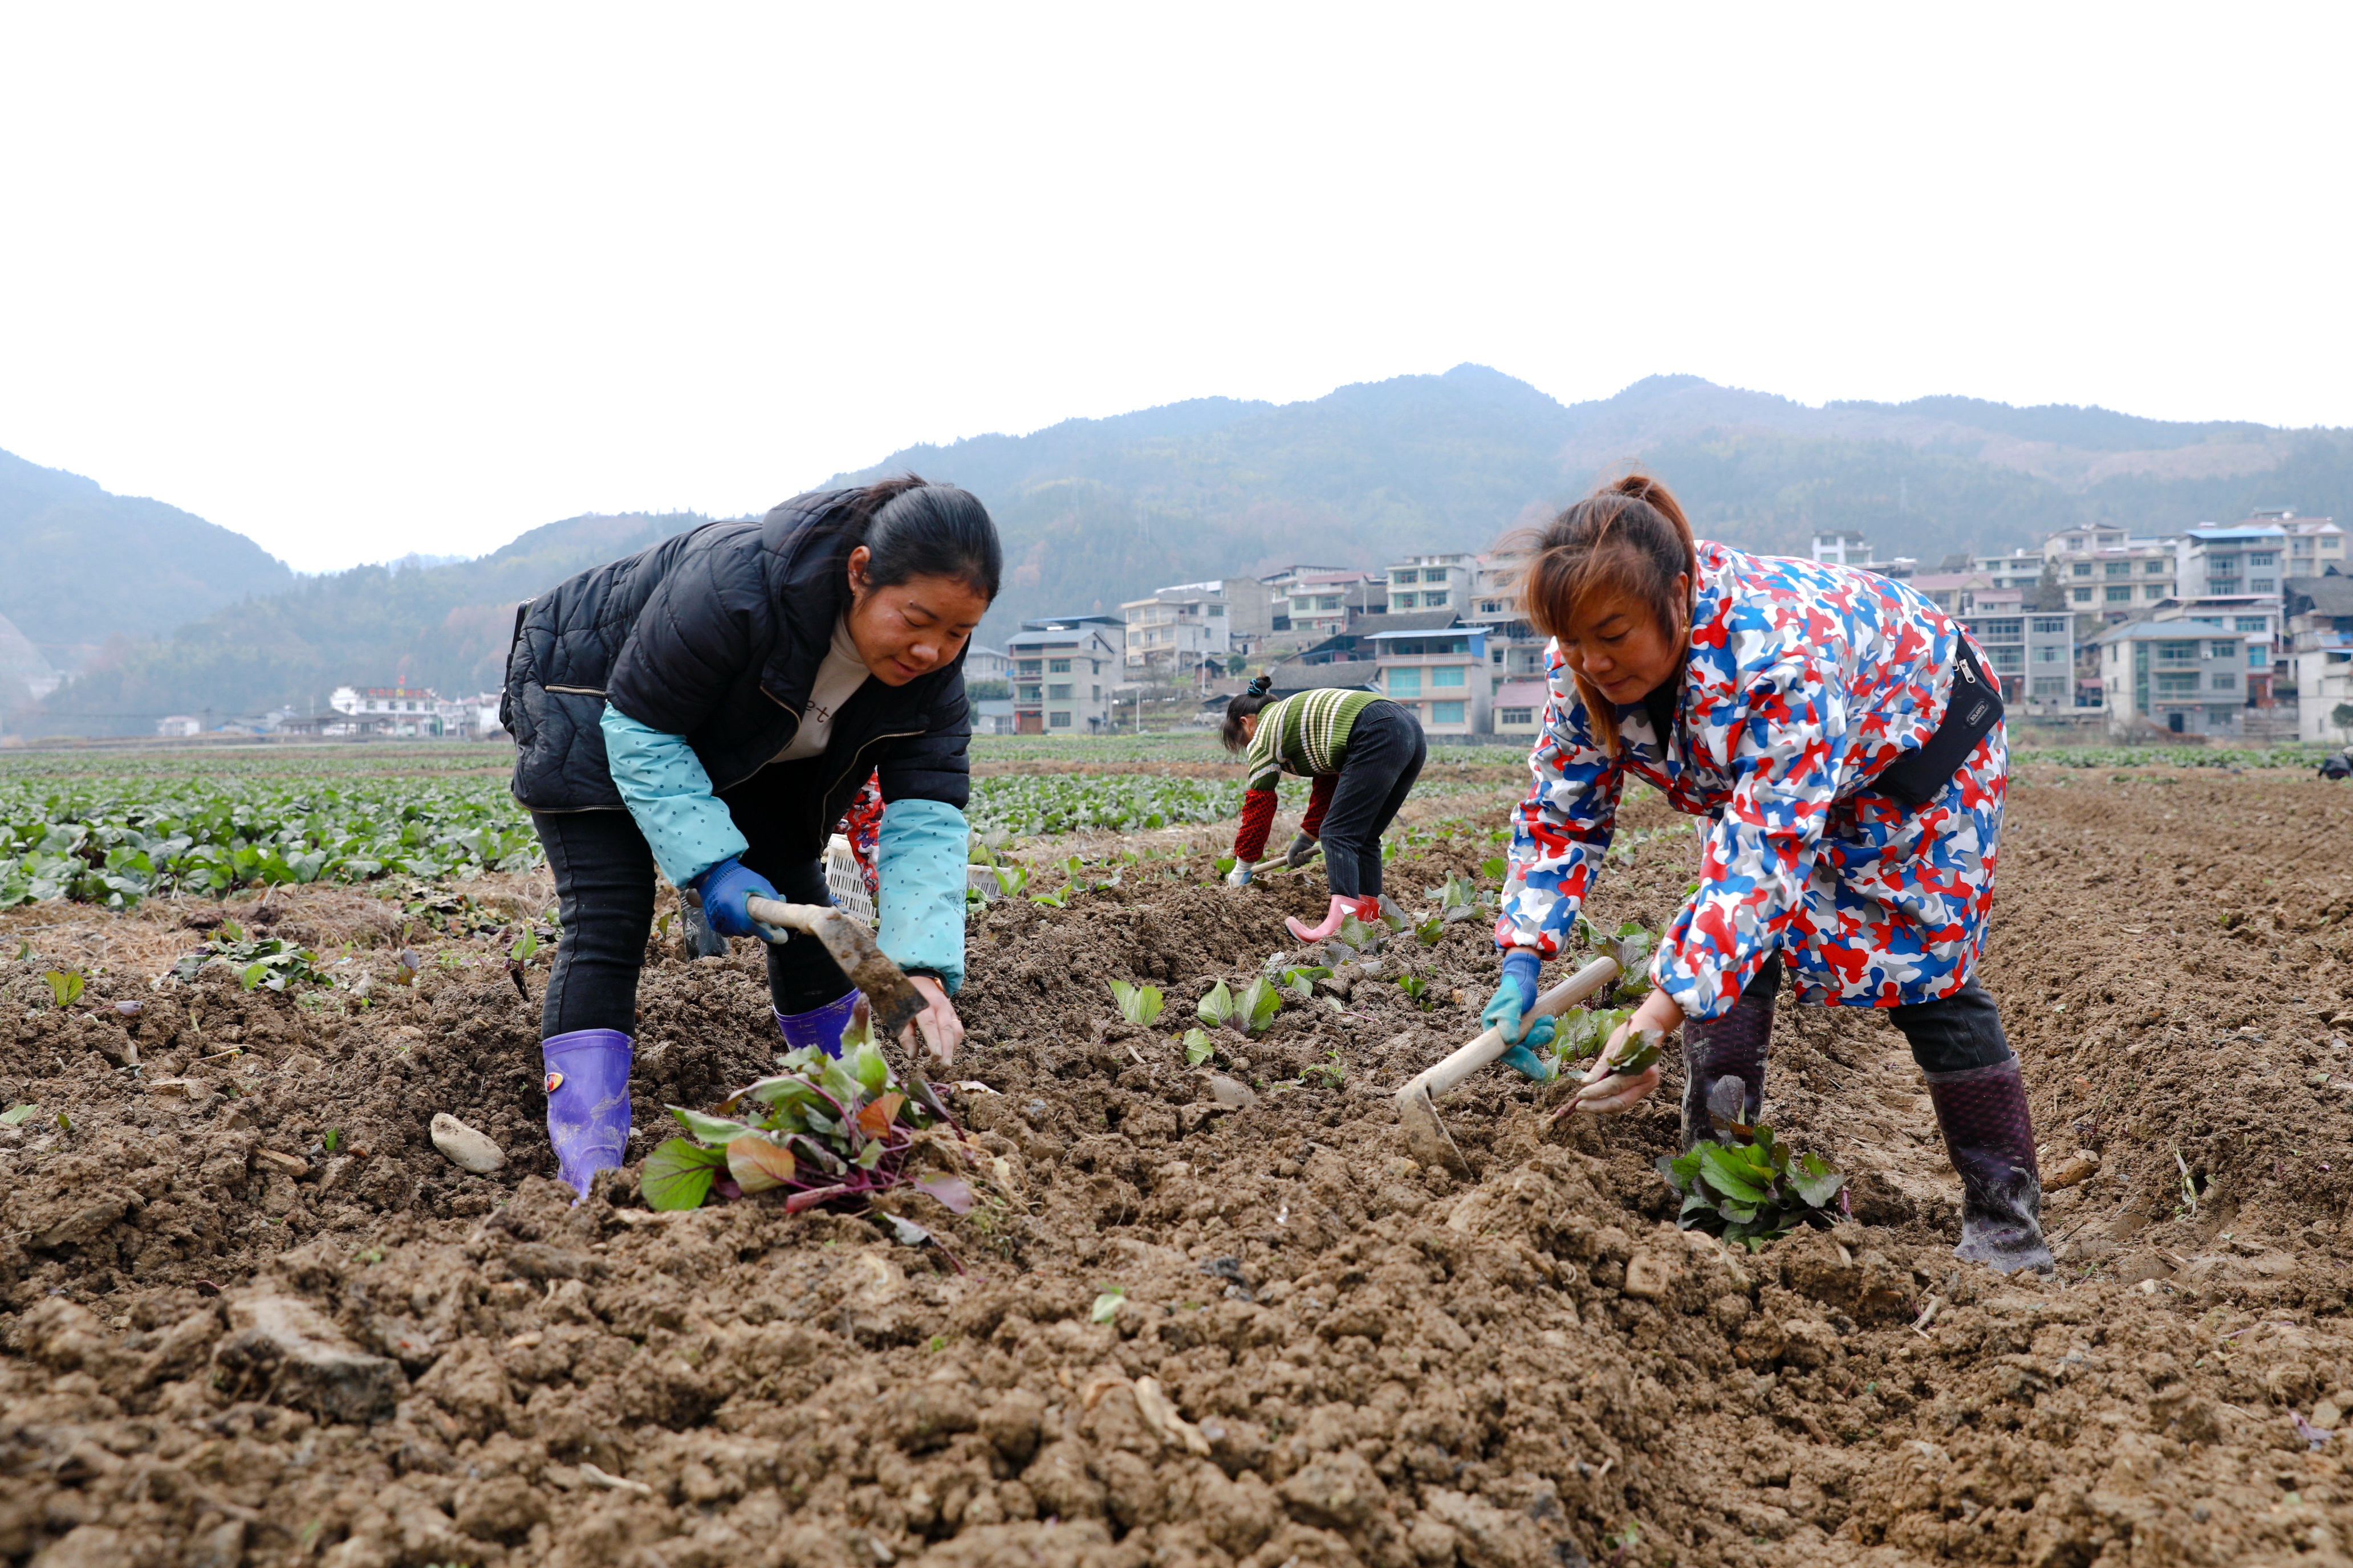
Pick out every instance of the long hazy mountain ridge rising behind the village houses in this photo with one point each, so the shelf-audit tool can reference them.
(1098, 511)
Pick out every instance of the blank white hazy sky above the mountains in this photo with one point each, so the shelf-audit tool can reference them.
(364, 281)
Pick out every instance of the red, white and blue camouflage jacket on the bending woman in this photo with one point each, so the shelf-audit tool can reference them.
(1804, 681)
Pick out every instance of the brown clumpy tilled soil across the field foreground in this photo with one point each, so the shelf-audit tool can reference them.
(255, 1318)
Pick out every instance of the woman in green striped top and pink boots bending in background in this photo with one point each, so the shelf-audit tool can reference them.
(1364, 756)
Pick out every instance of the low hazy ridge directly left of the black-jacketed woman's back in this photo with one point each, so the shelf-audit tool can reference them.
(436, 626)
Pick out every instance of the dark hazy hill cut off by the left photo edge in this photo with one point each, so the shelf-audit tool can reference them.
(81, 565)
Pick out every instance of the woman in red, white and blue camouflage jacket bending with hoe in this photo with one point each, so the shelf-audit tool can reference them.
(1846, 744)
